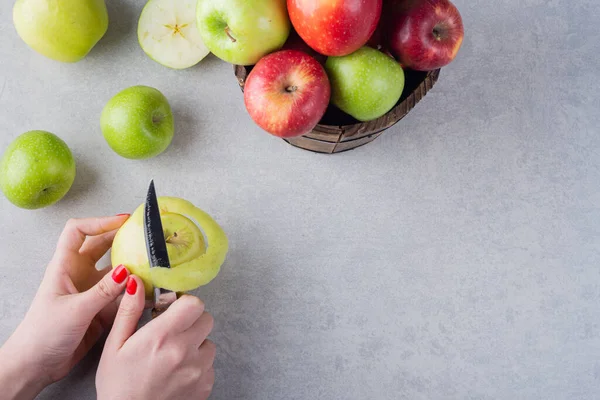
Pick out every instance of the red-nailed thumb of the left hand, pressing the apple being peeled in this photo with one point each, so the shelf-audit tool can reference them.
(92, 301)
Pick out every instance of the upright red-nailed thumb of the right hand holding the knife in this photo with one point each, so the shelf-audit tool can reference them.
(128, 315)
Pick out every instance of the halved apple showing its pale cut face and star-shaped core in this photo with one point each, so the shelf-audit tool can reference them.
(168, 34)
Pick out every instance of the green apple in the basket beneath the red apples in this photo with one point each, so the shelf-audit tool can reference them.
(365, 84)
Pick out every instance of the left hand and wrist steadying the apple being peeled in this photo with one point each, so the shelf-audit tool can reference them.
(74, 305)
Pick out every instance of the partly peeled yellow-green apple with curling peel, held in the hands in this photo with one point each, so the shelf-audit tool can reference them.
(196, 244)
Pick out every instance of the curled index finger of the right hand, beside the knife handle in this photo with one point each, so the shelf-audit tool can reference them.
(182, 314)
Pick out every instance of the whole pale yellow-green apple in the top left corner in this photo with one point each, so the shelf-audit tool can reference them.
(63, 30)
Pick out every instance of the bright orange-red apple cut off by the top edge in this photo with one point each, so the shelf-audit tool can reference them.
(335, 27)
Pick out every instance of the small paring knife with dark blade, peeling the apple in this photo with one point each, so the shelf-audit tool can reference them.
(157, 250)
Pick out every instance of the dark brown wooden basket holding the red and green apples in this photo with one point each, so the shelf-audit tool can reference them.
(338, 132)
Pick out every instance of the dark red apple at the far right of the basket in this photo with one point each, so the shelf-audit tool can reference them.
(425, 34)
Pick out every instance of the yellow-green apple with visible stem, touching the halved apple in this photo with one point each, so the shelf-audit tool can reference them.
(242, 32)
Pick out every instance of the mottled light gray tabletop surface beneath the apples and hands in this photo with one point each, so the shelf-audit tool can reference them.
(456, 257)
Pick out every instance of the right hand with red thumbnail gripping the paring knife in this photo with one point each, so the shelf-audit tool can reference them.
(168, 358)
